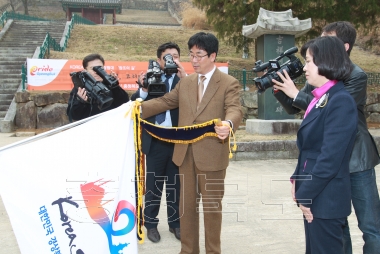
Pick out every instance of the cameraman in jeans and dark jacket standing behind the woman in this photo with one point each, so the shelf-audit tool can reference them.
(364, 157)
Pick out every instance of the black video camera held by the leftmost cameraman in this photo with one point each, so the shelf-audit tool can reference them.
(97, 92)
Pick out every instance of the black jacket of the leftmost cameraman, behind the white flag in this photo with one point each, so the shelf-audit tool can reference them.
(78, 109)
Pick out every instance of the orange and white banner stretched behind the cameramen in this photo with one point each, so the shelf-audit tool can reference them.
(52, 74)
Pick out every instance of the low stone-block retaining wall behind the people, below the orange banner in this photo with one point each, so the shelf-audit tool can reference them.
(47, 110)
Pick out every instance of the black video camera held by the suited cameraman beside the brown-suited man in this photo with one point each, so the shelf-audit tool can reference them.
(152, 80)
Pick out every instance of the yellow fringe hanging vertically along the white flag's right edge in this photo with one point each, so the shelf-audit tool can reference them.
(140, 170)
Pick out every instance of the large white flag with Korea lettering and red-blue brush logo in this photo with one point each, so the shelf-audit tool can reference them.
(74, 192)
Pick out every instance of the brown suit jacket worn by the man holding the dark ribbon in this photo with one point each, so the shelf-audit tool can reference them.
(220, 100)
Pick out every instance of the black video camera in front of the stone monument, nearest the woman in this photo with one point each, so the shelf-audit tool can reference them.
(293, 67)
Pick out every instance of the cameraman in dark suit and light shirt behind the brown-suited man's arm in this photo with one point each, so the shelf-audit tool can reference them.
(159, 165)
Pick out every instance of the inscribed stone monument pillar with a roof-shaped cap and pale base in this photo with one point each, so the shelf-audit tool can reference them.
(275, 32)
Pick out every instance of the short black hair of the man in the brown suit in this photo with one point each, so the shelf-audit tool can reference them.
(206, 41)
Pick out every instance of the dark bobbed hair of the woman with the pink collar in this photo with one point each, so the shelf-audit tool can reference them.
(330, 56)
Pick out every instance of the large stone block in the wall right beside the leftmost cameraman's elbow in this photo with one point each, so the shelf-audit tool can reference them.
(52, 116)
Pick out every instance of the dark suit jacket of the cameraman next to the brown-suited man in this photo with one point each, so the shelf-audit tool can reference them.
(147, 138)
